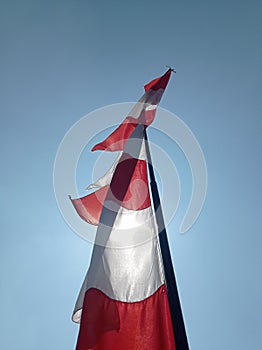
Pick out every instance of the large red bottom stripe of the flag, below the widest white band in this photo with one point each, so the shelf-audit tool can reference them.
(107, 324)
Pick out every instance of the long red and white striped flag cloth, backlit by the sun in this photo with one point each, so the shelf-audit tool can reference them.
(123, 302)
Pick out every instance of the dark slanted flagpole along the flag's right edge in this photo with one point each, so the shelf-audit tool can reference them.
(173, 296)
